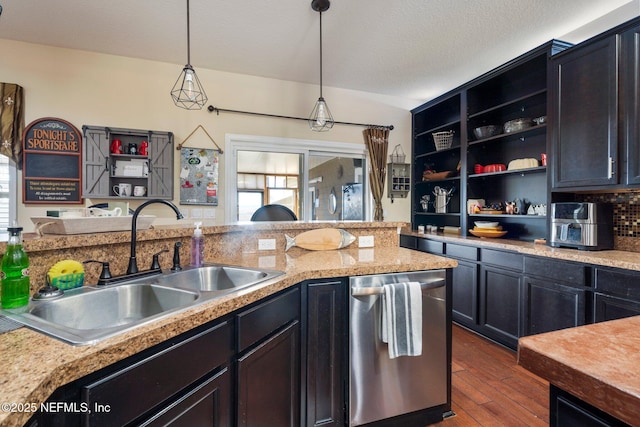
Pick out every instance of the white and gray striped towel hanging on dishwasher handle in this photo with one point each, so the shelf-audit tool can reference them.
(402, 318)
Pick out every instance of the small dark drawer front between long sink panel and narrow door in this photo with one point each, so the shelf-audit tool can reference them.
(259, 321)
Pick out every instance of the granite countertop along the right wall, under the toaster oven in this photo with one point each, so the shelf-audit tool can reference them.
(610, 258)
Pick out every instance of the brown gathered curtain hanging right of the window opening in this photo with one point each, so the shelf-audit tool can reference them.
(377, 142)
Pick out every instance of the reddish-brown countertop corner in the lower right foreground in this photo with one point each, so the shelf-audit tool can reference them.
(597, 363)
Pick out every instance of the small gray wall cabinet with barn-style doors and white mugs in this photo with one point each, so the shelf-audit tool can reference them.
(138, 161)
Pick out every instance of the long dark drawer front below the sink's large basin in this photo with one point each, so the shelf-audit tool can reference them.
(138, 388)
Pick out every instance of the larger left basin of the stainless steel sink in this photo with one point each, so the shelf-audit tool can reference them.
(88, 314)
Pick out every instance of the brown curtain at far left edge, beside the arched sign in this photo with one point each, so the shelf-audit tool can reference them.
(11, 122)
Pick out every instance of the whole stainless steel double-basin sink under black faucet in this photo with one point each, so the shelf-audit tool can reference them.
(89, 314)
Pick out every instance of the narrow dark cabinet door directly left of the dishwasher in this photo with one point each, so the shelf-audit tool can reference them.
(326, 338)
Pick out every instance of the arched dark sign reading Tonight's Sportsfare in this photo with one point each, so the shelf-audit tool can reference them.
(52, 162)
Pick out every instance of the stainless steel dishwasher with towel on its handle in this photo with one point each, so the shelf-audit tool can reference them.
(381, 388)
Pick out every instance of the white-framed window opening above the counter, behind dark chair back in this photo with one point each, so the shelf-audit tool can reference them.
(303, 175)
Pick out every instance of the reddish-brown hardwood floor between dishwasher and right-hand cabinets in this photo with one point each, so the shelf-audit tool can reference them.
(490, 389)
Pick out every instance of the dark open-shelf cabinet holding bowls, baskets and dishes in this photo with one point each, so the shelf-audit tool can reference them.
(497, 154)
